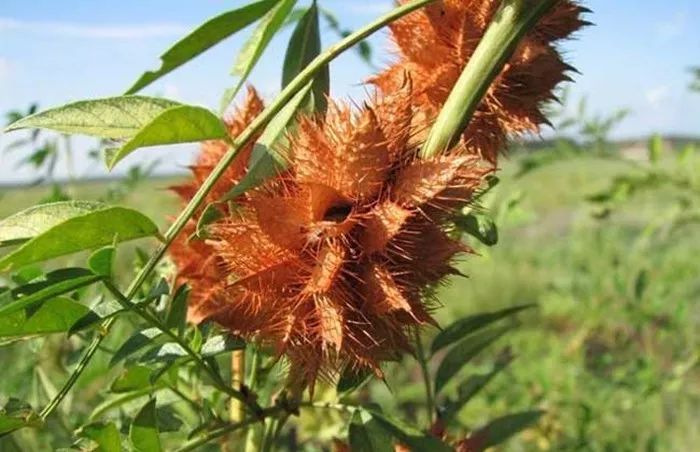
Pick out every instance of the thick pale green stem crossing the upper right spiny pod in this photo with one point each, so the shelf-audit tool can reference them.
(512, 21)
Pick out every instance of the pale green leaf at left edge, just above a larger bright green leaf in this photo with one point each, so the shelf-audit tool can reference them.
(31, 222)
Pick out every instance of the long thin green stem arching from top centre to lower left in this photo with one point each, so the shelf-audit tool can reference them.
(198, 199)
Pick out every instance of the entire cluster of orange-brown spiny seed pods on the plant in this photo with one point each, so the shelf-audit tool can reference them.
(329, 262)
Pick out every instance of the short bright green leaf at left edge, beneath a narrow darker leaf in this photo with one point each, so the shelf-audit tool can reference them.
(56, 315)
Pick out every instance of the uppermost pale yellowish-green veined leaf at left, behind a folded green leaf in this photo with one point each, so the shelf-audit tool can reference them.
(112, 117)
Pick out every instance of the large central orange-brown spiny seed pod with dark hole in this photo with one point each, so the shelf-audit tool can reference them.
(328, 263)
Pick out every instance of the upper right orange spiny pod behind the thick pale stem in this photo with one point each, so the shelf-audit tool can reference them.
(435, 44)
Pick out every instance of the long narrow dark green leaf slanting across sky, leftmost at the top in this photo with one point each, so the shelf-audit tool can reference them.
(203, 38)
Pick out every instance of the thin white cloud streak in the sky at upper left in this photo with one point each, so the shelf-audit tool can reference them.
(106, 31)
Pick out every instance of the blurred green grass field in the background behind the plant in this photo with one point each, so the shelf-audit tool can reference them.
(612, 351)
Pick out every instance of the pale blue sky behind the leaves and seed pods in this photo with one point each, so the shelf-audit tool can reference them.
(53, 52)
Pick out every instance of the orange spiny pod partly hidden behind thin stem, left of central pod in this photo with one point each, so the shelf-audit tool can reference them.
(196, 263)
